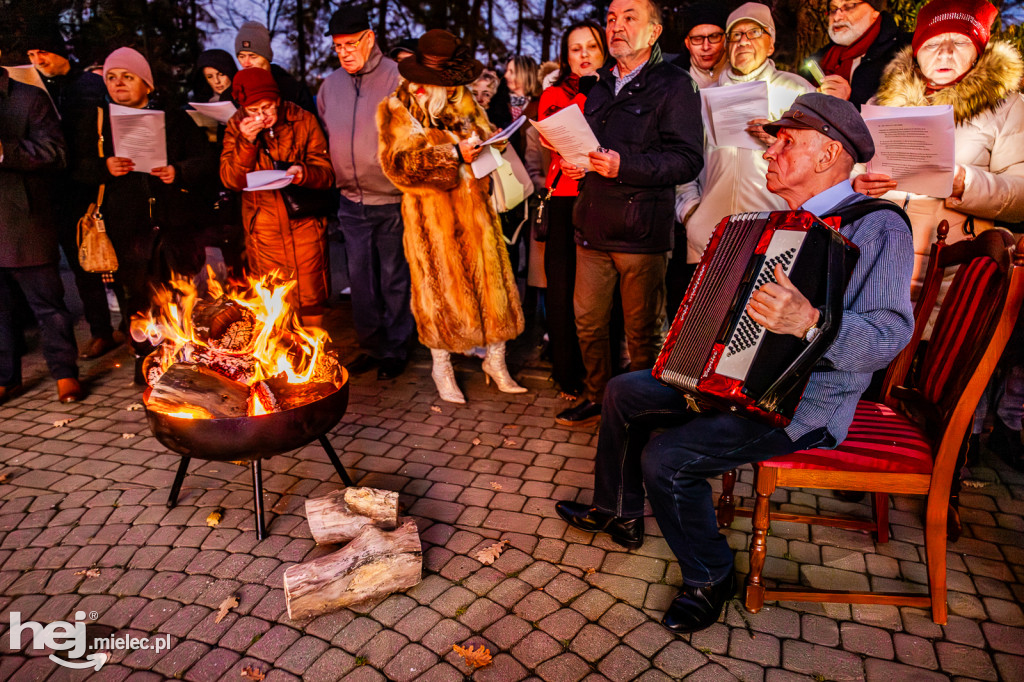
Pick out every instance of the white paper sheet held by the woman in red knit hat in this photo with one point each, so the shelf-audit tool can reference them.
(915, 146)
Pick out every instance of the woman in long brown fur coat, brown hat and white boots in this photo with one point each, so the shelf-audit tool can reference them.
(464, 293)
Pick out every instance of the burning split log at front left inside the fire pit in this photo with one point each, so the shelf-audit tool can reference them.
(197, 390)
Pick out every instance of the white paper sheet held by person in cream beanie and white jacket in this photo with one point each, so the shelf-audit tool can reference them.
(728, 111)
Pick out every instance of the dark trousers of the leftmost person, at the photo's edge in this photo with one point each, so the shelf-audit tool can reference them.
(45, 291)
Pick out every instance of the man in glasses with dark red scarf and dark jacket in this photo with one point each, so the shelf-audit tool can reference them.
(865, 39)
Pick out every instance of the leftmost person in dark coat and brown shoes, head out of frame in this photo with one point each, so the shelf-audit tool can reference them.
(31, 148)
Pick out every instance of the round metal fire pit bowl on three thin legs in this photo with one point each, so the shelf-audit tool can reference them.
(252, 439)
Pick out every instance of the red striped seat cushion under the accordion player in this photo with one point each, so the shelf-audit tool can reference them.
(880, 441)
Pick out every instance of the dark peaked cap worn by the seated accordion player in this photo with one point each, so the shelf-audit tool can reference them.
(832, 117)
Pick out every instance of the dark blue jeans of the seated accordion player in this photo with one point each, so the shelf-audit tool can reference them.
(675, 466)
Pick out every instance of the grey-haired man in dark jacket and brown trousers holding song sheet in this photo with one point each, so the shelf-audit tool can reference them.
(647, 116)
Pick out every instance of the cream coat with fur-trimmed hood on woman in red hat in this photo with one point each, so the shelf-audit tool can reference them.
(990, 141)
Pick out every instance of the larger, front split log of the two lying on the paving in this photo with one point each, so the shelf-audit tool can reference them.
(373, 566)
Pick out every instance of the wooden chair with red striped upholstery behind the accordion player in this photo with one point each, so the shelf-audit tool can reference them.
(909, 444)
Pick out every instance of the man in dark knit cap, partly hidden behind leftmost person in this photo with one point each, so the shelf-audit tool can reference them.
(77, 95)
